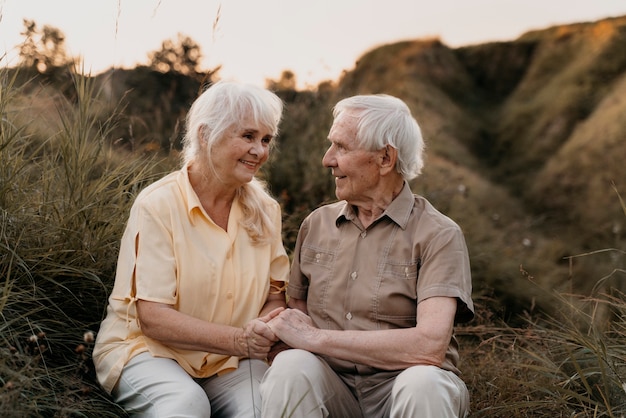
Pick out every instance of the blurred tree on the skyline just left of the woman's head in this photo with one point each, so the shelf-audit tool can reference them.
(182, 56)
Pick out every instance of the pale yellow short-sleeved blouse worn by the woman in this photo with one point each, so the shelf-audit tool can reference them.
(173, 253)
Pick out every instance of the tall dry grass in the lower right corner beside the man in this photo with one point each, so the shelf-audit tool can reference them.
(571, 363)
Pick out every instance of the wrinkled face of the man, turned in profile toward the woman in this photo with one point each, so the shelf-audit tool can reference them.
(356, 170)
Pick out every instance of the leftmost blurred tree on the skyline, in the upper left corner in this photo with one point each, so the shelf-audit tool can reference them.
(43, 49)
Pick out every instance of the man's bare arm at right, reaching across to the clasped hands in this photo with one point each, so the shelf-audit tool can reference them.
(394, 349)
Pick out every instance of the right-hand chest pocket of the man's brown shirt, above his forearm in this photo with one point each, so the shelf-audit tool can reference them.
(397, 295)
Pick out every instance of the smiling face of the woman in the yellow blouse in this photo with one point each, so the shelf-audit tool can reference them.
(238, 157)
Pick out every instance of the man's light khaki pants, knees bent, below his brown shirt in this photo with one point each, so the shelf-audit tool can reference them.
(301, 384)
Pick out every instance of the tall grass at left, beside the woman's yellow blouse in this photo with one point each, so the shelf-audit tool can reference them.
(64, 197)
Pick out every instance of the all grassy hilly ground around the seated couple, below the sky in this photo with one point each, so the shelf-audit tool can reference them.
(525, 150)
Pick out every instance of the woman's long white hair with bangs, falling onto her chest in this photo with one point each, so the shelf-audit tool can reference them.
(219, 109)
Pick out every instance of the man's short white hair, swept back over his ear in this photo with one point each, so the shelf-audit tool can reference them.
(386, 120)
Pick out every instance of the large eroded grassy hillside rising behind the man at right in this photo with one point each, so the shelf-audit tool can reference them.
(527, 144)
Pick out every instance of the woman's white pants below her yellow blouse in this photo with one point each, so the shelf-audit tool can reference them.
(158, 387)
